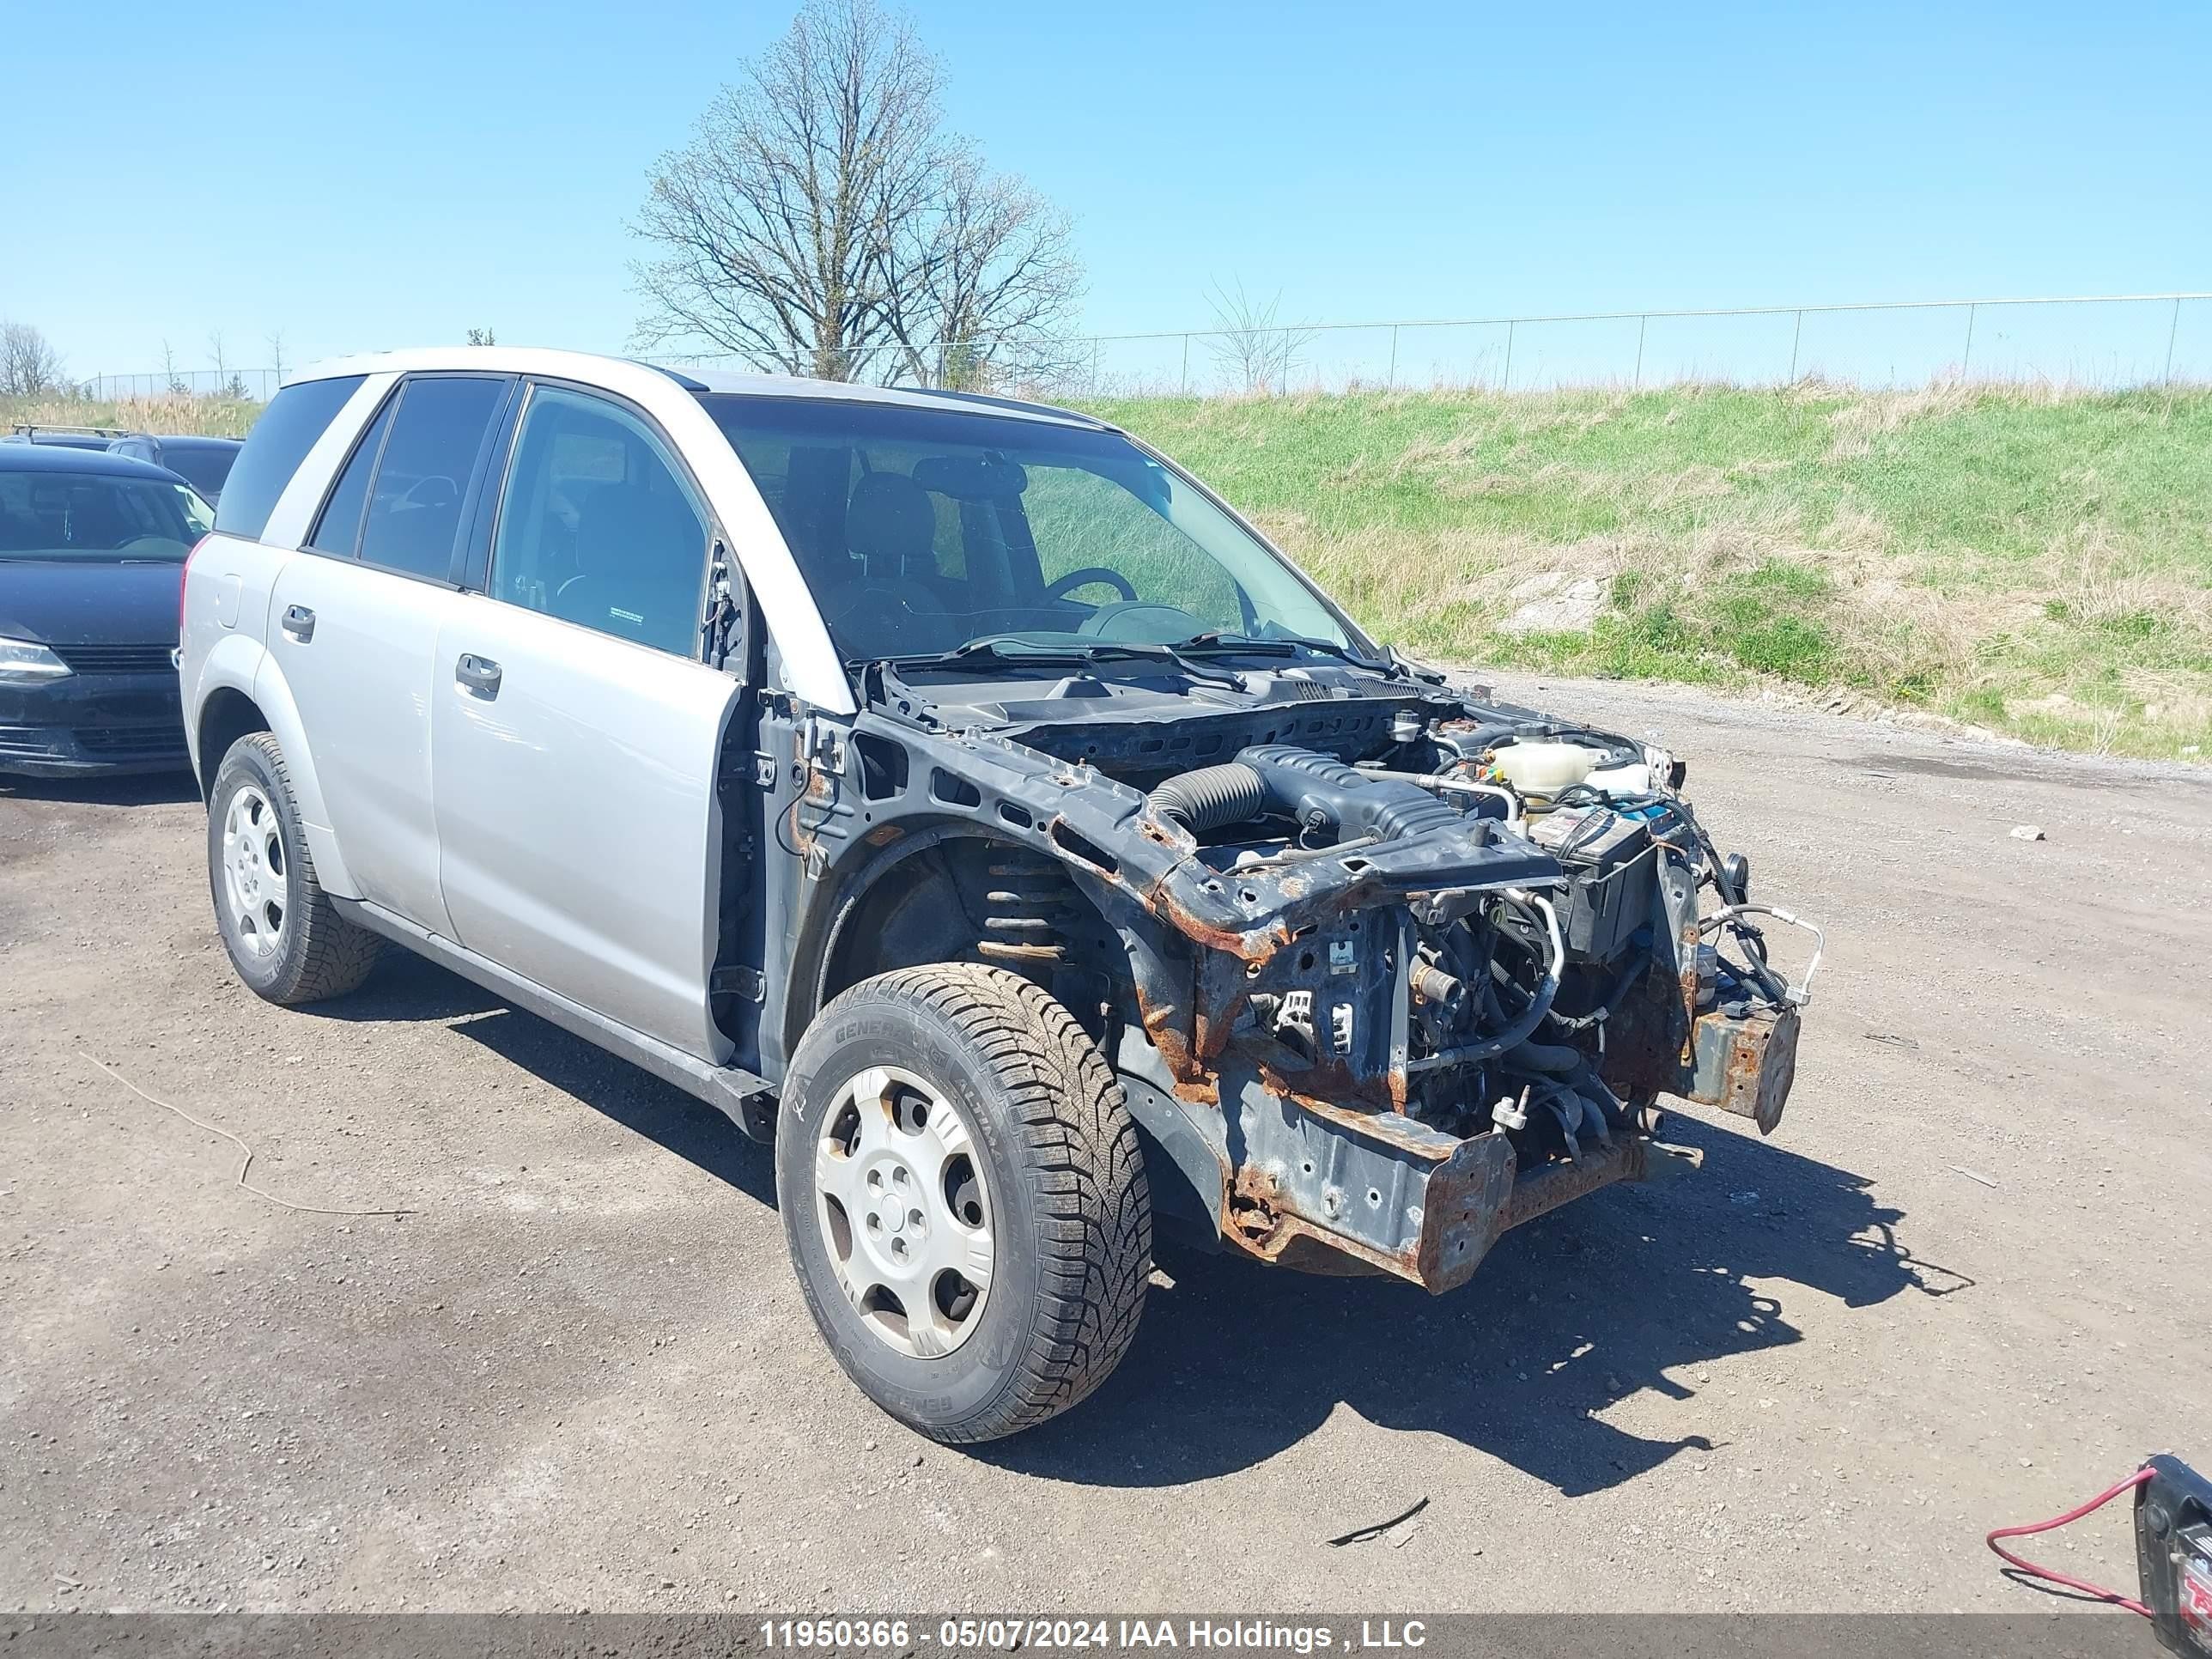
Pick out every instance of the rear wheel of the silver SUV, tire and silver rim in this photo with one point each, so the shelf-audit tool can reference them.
(284, 935)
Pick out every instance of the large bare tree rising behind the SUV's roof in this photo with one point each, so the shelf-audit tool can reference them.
(822, 222)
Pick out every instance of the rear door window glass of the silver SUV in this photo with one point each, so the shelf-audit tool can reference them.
(415, 503)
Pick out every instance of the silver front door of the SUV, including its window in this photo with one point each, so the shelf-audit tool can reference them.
(576, 731)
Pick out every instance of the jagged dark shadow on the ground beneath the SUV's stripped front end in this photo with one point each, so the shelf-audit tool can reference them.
(1625, 1291)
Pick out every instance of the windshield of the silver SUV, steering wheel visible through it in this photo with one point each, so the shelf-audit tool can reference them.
(926, 530)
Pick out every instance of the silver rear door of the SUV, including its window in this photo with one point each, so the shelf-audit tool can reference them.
(355, 627)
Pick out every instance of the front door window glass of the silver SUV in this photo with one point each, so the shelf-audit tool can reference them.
(598, 525)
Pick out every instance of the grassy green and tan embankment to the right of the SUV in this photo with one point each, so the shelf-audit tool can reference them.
(2030, 561)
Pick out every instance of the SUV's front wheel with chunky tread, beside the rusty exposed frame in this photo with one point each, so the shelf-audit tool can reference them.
(1070, 1218)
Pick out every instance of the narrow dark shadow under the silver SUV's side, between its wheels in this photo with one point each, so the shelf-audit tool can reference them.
(410, 988)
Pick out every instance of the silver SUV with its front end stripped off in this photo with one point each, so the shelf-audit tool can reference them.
(968, 802)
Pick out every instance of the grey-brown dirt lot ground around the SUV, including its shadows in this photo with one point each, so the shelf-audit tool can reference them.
(1959, 1288)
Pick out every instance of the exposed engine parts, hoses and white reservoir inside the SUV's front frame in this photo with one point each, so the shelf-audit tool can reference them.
(1552, 1010)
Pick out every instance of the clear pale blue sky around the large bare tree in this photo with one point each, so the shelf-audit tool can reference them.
(388, 176)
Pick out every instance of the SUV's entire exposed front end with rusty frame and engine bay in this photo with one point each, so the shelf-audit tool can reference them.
(1384, 968)
